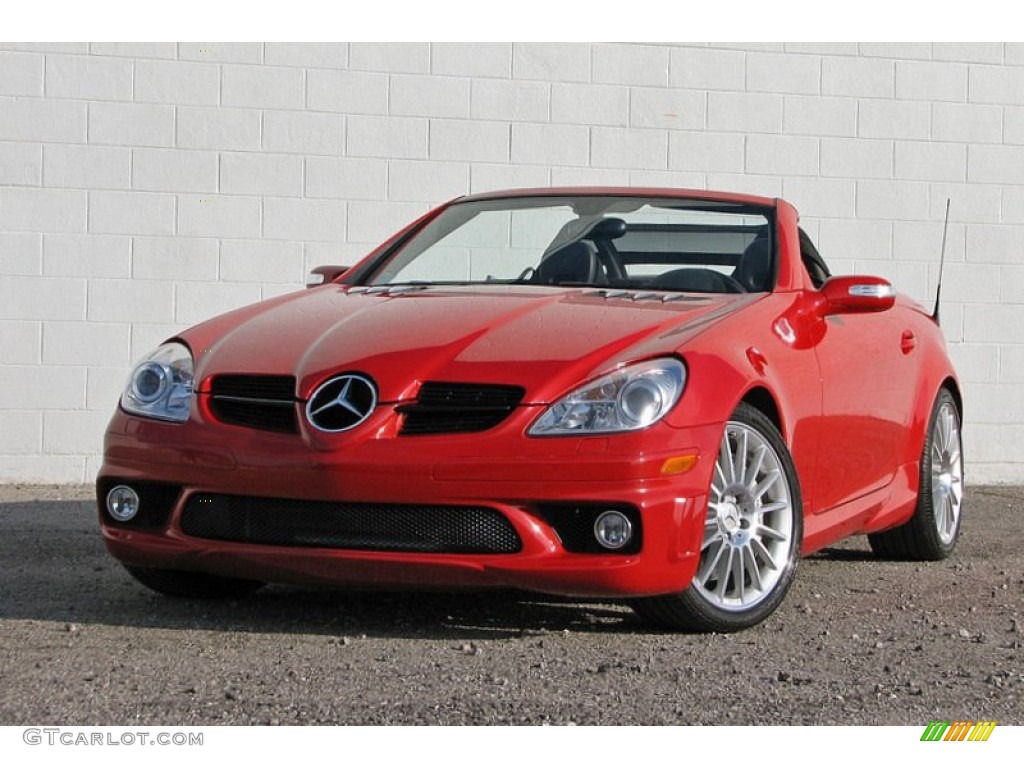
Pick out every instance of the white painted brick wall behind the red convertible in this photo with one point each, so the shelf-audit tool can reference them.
(145, 187)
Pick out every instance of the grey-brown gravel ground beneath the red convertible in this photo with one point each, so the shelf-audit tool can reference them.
(859, 642)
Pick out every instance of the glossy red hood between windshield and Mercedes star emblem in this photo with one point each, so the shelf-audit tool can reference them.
(543, 339)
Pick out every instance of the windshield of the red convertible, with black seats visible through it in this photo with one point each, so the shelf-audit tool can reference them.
(658, 244)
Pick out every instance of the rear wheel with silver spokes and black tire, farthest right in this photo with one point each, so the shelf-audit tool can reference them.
(932, 533)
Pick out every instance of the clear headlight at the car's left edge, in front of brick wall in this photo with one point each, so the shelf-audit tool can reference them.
(161, 387)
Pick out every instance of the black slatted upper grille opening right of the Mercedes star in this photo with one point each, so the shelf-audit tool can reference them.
(445, 408)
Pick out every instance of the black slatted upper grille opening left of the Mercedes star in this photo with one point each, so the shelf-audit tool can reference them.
(266, 403)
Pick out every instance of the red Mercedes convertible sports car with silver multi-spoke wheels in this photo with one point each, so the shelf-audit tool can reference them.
(647, 395)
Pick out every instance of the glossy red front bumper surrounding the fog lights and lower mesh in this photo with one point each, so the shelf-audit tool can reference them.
(202, 457)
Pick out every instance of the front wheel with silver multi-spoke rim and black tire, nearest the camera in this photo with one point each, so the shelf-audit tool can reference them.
(754, 525)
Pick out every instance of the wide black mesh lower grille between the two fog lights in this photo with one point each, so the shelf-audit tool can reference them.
(386, 528)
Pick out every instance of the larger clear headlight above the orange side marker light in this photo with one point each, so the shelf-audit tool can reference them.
(633, 398)
